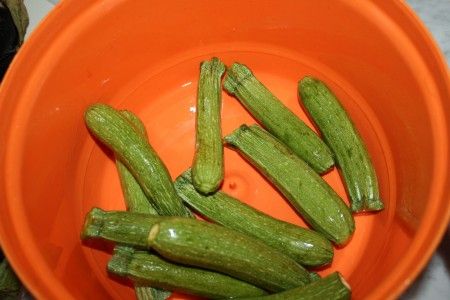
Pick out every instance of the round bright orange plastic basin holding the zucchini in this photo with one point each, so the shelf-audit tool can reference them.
(144, 56)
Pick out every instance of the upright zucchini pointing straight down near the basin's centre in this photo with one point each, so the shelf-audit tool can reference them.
(207, 167)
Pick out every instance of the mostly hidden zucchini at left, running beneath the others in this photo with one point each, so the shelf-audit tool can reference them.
(137, 201)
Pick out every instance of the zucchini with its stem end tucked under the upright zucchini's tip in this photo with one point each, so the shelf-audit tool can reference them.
(305, 246)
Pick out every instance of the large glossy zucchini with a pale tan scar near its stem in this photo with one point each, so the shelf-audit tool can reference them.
(202, 244)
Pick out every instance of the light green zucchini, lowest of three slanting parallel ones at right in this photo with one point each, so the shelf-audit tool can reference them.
(313, 198)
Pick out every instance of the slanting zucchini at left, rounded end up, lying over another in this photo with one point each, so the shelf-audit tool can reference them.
(116, 132)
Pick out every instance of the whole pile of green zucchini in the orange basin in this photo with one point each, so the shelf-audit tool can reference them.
(241, 252)
